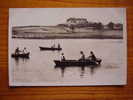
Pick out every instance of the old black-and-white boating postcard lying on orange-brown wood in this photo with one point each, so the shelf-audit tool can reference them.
(67, 46)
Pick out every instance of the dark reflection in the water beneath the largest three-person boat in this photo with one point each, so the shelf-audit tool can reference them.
(83, 70)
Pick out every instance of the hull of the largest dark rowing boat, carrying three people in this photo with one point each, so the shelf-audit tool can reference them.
(86, 62)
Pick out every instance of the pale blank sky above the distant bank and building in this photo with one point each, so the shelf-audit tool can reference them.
(54, 16)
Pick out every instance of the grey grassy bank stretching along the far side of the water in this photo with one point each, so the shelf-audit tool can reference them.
(57, 32)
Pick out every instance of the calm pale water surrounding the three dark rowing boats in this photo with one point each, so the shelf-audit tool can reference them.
(40, 68)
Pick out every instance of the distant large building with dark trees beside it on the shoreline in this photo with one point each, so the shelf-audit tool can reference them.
(73, 22)
